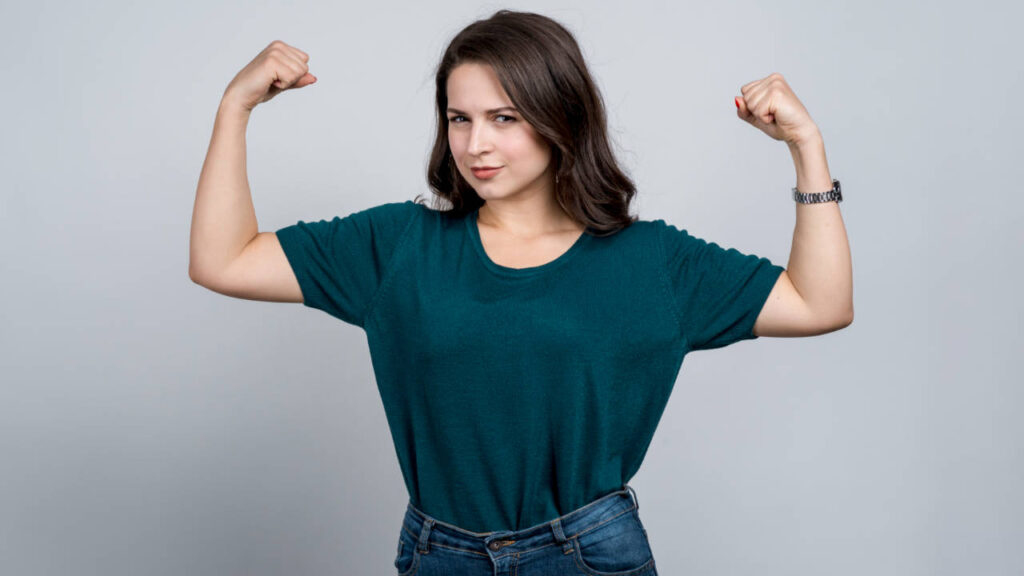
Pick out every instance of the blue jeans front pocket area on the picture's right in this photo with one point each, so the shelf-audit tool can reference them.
(617, 549)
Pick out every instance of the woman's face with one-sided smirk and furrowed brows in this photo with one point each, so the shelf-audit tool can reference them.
(480, 135)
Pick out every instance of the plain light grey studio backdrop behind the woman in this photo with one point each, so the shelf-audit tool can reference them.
(149, 426)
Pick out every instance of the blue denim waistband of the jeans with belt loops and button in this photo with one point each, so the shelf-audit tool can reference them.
(428, 529)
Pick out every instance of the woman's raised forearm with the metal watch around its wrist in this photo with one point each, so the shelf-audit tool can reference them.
(820, 261)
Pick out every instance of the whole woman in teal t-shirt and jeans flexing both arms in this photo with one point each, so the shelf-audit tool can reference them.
(526, 337)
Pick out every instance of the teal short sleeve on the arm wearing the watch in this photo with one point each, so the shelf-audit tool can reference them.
(718, 293)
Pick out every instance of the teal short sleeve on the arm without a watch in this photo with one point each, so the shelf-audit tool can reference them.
(342, 263)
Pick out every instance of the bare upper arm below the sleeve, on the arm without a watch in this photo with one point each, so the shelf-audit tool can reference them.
(262, 272)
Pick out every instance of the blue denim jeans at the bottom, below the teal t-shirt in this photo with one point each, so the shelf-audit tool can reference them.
(603, 539)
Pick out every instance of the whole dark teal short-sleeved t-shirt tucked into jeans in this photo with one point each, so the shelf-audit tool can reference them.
(516, 396)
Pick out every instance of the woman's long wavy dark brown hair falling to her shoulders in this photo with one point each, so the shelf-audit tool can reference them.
(542, 70)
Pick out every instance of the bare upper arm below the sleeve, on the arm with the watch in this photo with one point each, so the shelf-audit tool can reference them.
(786, 314)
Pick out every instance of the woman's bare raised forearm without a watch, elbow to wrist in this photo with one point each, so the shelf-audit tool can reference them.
(224, 217)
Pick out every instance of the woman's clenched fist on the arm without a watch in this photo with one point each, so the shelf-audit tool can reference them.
(277, 69)
